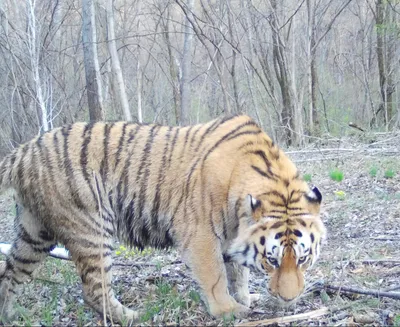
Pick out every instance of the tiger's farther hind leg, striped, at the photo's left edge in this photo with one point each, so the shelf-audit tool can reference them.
(30, 247)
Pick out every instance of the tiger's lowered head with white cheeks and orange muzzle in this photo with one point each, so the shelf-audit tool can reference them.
(281, 240)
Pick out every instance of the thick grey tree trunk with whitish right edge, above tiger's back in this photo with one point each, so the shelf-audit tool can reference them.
(92, 69)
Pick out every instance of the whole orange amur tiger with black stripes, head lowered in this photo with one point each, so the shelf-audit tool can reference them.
(222, 193)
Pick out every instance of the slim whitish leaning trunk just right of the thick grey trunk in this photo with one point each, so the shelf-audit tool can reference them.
(115, 63)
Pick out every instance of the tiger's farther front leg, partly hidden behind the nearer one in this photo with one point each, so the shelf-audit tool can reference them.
(238, 278)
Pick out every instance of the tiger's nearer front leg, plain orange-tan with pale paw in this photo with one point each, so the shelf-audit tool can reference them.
(204, 257)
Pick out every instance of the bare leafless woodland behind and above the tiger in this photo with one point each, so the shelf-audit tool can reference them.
(302, 69)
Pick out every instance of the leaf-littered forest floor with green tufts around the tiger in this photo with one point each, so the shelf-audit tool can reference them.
(362, 251)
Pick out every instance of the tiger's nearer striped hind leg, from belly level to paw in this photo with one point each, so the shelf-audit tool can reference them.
(94, 263)
